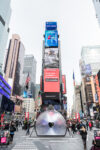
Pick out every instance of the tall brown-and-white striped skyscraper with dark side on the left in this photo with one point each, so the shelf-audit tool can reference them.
(14, 64)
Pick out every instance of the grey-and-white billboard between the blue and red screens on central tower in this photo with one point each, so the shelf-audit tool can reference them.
(51, 58)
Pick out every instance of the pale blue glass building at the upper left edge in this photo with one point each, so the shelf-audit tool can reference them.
(5, 13)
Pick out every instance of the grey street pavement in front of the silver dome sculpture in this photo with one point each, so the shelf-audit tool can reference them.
(23, 142)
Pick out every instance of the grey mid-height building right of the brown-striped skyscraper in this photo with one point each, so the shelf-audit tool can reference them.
(30, 69)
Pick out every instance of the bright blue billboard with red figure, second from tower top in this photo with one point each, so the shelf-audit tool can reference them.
(51, 38)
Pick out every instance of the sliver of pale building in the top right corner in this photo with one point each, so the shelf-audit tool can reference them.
(97, 8)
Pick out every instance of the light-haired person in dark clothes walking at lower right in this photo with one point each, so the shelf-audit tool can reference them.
(83, 133)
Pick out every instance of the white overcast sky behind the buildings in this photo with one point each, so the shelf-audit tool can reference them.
(77, 27)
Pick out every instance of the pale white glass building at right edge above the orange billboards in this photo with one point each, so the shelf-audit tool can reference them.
(91, 55)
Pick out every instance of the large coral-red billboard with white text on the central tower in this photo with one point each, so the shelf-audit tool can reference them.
(51, 80)
